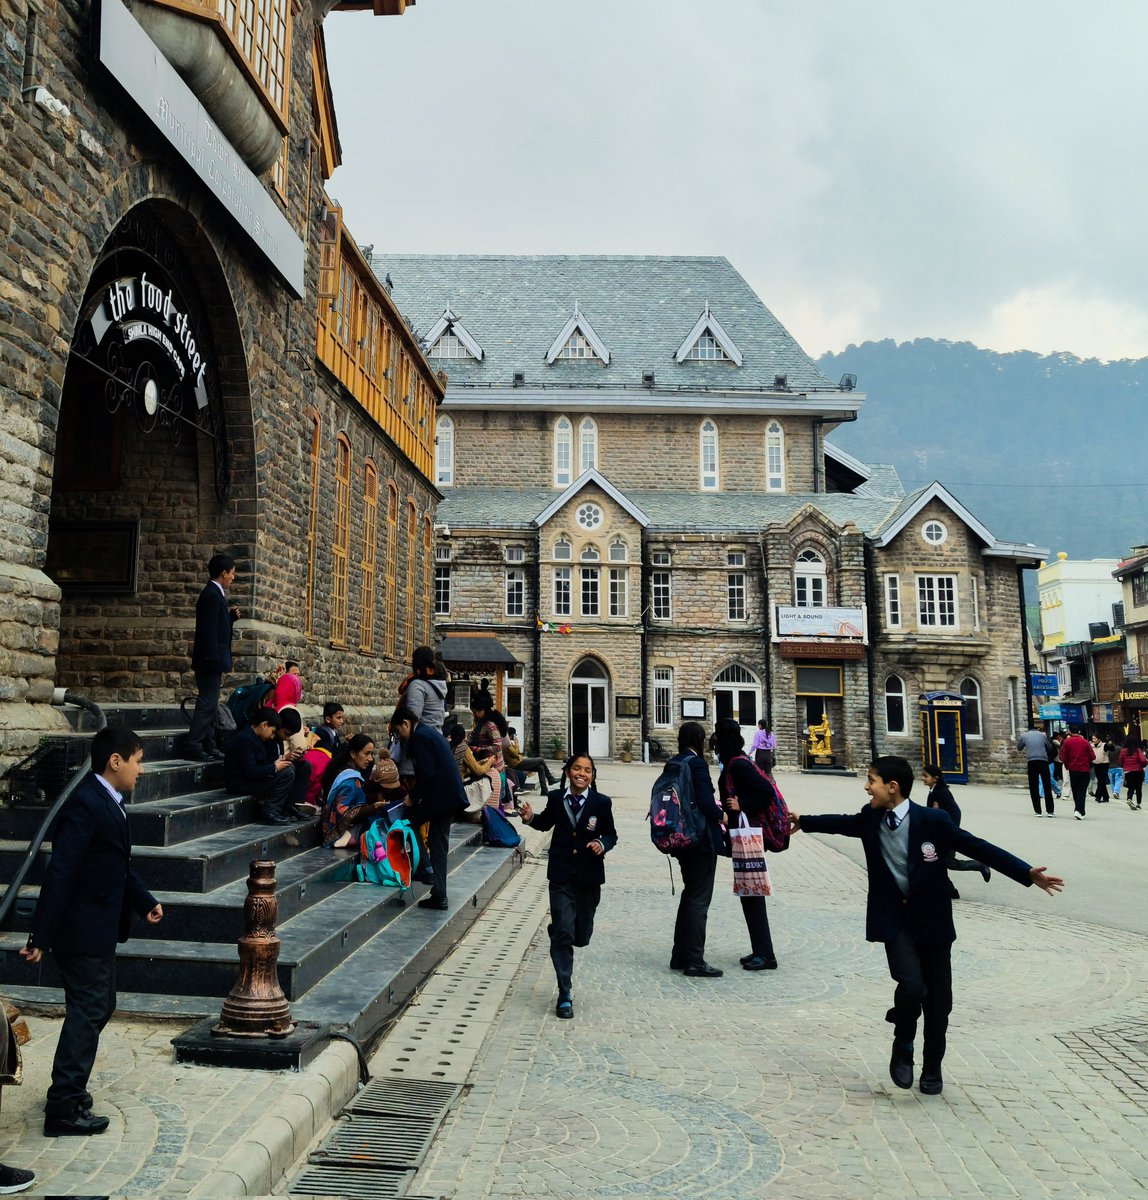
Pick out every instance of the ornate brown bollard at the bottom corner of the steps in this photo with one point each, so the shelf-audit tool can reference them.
(256, 1007)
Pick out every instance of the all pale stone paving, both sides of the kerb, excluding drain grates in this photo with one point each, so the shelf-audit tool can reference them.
(772, 1084)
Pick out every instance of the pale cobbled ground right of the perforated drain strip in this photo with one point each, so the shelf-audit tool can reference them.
(777, 1083)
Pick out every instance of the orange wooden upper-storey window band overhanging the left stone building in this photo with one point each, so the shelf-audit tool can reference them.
(365, 344)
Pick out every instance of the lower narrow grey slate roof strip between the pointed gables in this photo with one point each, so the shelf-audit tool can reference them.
(510, 508)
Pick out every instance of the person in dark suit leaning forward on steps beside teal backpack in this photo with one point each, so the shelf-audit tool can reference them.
(436, 794)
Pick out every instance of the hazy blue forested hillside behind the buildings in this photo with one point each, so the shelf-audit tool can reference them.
(1049, 449)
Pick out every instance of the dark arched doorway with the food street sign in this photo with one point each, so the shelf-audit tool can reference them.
(142, 481)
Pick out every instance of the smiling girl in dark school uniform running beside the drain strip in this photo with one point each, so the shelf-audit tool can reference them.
(584, 824)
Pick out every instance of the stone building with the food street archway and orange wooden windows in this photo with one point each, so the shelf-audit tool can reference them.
(196, 358)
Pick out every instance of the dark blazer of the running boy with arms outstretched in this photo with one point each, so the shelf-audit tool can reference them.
(927, 913)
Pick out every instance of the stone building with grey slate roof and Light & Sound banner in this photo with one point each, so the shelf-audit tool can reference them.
(644, 514)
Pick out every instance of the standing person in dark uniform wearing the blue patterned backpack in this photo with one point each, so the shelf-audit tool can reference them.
(700, 865)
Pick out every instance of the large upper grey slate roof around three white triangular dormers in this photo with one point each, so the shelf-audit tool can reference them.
(641, 307)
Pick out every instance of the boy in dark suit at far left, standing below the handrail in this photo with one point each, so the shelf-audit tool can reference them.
(86, 907)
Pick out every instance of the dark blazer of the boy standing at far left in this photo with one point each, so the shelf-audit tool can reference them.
(91, 890)
